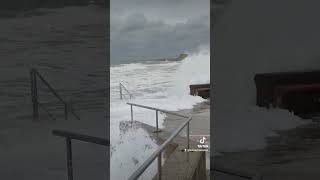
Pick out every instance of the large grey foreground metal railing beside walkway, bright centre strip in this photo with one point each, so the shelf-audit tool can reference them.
(158, 152)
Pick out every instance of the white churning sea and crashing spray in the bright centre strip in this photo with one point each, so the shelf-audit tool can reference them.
(163, 85)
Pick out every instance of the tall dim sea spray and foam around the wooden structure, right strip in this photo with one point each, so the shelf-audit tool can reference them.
(243, 49)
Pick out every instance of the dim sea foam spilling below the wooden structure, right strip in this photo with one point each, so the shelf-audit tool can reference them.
(246, 130)
